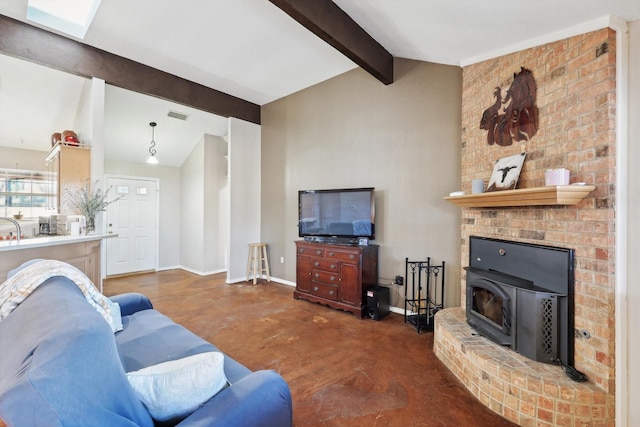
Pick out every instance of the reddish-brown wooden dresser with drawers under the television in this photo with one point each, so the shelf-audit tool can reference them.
(336, 275)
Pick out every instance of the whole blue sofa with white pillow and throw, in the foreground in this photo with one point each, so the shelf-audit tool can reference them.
(61, 365)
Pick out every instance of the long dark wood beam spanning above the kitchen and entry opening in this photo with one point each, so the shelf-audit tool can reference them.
(33, 44)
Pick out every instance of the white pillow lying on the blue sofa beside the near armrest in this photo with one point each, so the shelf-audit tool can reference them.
(176, 388)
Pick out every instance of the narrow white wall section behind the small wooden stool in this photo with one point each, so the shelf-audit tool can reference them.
(244, 194)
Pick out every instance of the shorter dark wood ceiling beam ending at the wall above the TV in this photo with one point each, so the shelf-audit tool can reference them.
(326, 20)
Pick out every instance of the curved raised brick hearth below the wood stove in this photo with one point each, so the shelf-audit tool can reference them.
(526, 392)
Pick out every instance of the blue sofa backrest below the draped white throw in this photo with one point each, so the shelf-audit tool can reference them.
(59, 364)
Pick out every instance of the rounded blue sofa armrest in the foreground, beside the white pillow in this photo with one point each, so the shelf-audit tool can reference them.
(261, 399)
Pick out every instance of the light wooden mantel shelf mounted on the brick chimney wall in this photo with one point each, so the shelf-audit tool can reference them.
(537, 196)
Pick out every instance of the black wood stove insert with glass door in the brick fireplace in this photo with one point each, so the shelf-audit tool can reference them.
(521, 295)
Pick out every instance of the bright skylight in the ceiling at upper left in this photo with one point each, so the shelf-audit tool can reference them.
(71, 17)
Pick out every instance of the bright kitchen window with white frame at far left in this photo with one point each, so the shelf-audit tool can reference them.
(32, 193)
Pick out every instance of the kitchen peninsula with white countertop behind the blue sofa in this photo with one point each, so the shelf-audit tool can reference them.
(83, 252)
